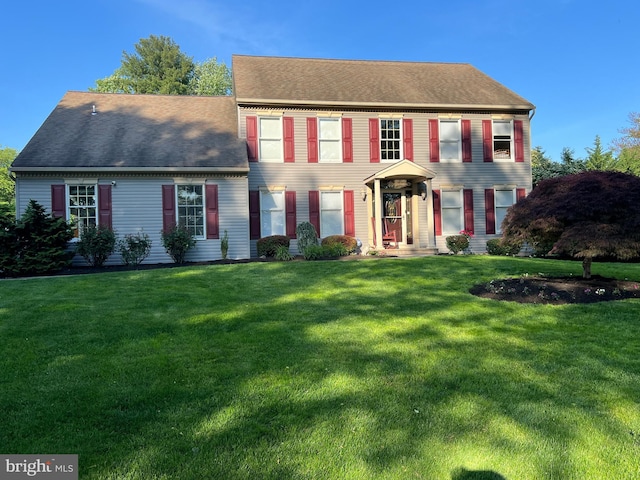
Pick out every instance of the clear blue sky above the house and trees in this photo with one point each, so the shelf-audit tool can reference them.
(578, 61)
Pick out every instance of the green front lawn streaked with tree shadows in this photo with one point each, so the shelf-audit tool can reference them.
(384, 368)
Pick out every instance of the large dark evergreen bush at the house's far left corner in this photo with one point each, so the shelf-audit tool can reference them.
(36, 243)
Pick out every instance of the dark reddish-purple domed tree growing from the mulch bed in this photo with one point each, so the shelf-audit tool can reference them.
(588, 215)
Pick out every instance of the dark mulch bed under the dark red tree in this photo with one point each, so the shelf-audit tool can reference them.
(557, 290)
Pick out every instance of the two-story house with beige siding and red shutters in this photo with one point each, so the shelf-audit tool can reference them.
(399, 155)
